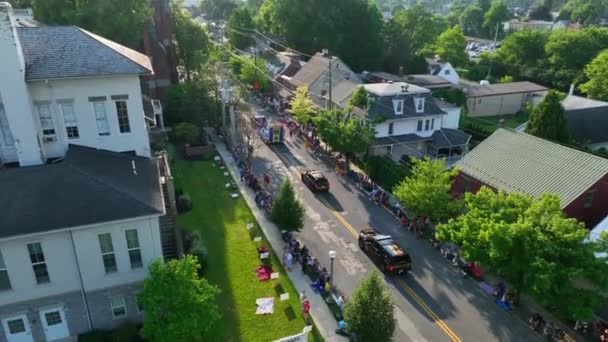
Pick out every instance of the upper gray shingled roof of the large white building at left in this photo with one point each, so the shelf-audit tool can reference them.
(68, 51)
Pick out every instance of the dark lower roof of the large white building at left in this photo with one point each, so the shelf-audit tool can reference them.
(90, 186)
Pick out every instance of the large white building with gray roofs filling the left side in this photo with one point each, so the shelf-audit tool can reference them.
(80, 197)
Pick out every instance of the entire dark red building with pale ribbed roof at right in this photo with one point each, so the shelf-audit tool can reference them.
(521, 163)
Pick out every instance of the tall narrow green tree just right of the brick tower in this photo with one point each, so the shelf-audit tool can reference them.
(191, 40)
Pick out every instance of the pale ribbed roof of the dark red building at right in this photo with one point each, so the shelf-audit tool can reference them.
(519, 162)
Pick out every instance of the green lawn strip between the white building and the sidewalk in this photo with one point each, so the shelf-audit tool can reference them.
(232, 258)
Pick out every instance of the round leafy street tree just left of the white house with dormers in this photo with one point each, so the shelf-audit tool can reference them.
(344, 132)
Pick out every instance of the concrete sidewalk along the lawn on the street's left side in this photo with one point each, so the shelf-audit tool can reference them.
(321, 316)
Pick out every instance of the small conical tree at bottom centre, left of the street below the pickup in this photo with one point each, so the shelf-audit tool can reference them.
(371, 299)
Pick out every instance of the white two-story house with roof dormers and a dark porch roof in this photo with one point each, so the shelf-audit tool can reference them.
(411, 122)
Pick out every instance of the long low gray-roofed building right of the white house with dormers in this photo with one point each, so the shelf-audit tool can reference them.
(501, 98)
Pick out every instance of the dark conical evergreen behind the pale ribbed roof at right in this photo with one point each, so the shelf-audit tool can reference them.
(548, 120)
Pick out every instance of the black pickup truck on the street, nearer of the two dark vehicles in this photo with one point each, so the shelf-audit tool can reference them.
(391, 258)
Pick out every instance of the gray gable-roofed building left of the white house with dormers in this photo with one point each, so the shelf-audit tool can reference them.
(316, 75)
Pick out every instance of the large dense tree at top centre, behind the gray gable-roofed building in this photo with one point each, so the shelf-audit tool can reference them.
(350, 28)
